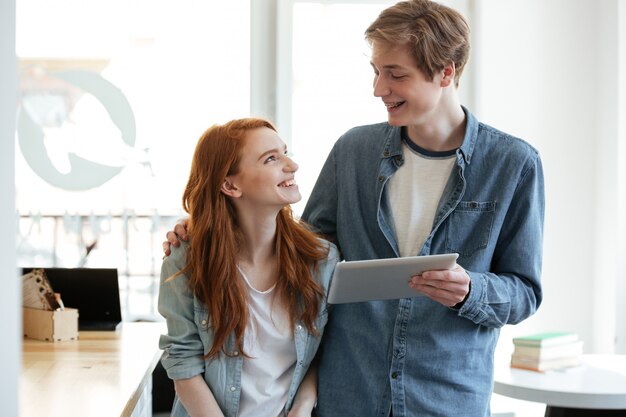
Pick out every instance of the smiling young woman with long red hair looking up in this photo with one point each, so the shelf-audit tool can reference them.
(245, 298)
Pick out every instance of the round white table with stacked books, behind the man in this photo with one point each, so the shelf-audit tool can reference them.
(596, 388)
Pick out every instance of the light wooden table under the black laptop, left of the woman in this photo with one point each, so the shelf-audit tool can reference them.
(104, 373)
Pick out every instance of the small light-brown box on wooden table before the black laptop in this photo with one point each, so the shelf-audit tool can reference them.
(51, 326)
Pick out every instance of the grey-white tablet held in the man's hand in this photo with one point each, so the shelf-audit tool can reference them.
(382, 279)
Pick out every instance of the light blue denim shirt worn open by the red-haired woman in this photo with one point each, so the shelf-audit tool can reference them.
(189, 337)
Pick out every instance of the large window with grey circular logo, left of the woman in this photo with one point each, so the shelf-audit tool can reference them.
(113, 97)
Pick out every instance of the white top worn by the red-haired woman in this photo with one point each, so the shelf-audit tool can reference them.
(268, 340)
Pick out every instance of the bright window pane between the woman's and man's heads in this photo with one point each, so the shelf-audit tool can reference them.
(325, 79)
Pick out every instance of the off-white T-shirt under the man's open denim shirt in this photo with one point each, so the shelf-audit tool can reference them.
(414, 193)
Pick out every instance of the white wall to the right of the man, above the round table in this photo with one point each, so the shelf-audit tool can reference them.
(547, 72)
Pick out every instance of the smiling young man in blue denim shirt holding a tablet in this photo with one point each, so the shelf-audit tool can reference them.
(430, 180)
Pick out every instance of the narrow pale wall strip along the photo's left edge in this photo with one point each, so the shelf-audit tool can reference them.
(10, 298)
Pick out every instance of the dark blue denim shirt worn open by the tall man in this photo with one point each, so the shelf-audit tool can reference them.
(416, 355)
